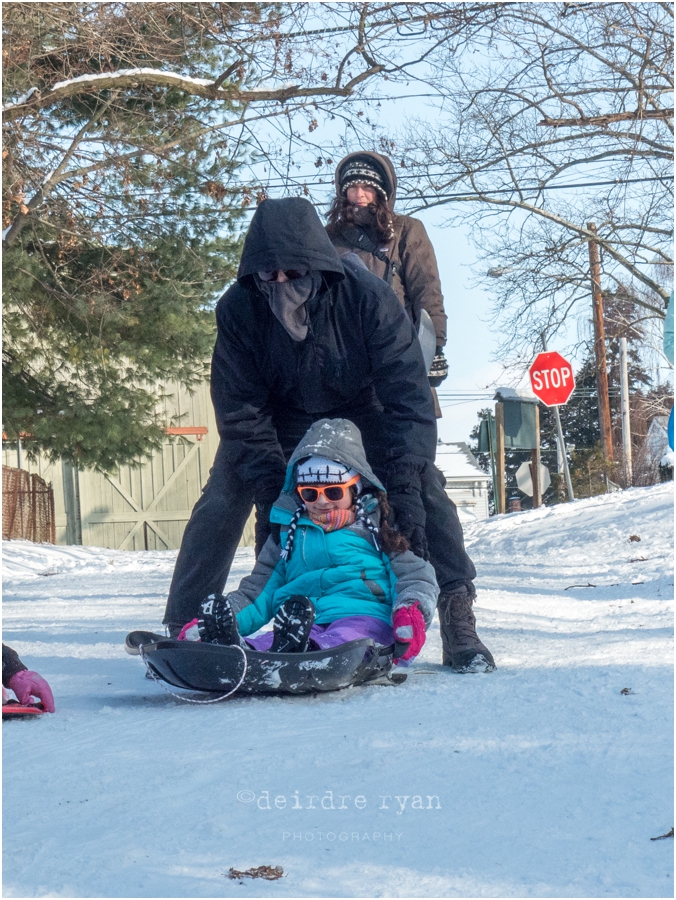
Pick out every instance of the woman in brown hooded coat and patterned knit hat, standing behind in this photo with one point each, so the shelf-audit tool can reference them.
(396, 248)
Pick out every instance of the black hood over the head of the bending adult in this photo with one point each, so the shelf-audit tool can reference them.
(287, 234)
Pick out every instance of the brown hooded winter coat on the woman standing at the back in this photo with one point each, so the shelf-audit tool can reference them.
(417, 284)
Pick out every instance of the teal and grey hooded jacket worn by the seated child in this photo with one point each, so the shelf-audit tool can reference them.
(343, 572)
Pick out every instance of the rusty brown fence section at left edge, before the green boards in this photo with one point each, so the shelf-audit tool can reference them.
(27, 507)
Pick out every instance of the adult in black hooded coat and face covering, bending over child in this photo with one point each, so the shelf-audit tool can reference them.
(303, 336)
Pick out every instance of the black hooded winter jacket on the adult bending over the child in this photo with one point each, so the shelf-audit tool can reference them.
(361, 351)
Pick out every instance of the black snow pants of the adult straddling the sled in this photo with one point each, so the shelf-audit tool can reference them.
(215, 528)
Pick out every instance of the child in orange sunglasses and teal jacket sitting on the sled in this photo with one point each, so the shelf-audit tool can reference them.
(338, 572)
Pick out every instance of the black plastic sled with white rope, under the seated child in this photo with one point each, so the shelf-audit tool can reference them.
(198, 666)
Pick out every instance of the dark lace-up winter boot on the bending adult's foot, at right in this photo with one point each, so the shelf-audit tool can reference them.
(463, 651)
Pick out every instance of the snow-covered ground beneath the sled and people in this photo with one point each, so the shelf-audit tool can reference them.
(550, 781)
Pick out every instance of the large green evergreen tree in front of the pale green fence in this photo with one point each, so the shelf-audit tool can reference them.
(109, 288)
